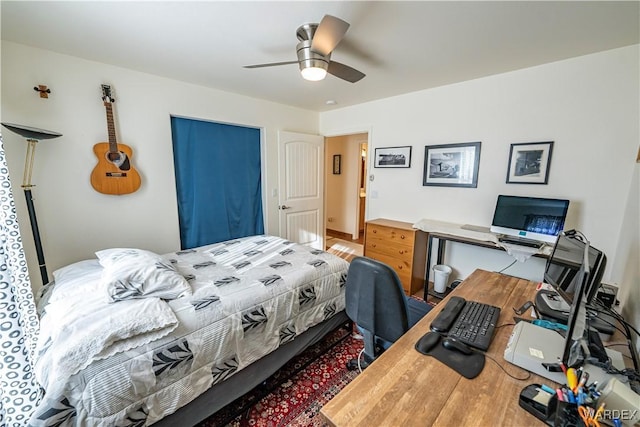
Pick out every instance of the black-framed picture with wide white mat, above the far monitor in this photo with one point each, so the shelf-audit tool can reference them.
(529, 163)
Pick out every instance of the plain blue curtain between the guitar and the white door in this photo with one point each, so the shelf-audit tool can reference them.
(219, 189)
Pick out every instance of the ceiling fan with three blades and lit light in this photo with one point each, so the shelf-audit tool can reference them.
(317, 42)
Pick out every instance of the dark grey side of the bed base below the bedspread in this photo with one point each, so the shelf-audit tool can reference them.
(251, 376)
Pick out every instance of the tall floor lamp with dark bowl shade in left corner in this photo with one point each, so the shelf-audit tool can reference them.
(33, 135)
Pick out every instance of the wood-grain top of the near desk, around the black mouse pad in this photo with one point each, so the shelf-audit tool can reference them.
(403, 387)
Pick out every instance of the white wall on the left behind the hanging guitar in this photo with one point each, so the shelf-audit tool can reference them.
(75, 220)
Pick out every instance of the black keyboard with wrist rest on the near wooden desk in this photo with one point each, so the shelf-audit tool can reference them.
(471, 322)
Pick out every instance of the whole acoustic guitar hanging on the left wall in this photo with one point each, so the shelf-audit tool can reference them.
(114, 173)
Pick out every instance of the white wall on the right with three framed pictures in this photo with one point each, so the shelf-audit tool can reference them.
(588, 105)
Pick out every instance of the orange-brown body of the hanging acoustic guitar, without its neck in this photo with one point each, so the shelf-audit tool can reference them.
(114, 174)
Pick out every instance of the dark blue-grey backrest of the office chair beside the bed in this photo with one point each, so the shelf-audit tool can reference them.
(375, 299)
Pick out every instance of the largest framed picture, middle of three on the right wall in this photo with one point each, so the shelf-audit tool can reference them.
(452, 165)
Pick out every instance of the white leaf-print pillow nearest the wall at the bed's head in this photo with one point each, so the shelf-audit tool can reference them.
(135, 273)
